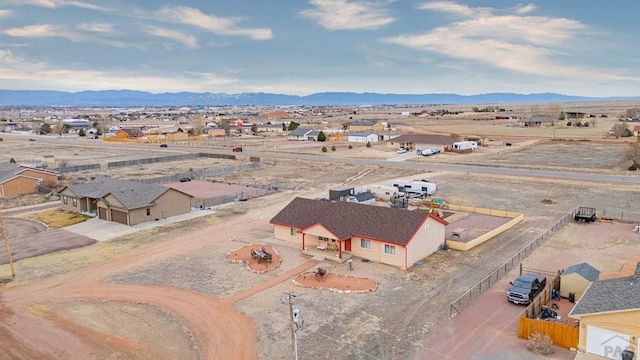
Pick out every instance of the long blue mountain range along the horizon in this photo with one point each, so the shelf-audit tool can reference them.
(132, 98)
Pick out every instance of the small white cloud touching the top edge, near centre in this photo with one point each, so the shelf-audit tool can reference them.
(348, 15)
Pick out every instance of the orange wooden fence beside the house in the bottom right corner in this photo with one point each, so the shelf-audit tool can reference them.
(563, 335)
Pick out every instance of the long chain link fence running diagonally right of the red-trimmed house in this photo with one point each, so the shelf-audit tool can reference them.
(483, 285)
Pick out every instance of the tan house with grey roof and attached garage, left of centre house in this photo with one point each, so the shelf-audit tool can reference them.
(123, 201)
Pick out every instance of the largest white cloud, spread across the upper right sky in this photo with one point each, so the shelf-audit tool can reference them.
(524, 44)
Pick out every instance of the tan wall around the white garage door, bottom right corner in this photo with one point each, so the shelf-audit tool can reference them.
(627, 322)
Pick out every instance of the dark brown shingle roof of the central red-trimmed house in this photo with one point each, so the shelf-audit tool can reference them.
(345, 219)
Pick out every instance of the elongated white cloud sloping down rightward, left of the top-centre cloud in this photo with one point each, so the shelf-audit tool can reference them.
(217, 25)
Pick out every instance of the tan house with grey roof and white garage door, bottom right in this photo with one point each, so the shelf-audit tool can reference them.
(609, 314)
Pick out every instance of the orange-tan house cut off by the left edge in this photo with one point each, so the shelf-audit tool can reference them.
(19, 179)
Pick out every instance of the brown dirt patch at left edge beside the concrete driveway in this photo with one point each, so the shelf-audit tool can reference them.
(31, 238)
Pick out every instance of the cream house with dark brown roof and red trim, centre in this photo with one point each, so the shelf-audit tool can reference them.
(381, 234)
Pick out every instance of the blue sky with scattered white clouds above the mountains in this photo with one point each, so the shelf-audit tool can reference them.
(300, 47)
